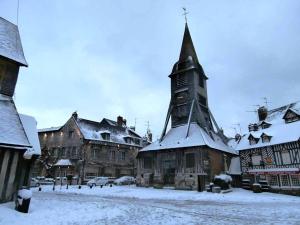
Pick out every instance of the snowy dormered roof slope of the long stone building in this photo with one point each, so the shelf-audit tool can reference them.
(93, 130)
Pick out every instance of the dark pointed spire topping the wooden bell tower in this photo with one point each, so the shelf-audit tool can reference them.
(187, 47)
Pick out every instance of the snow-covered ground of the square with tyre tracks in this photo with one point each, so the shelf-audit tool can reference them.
(136, 205)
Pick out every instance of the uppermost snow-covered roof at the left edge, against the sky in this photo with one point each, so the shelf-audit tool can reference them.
(10, 42)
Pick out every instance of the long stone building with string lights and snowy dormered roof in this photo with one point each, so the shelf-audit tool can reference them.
(86, 149)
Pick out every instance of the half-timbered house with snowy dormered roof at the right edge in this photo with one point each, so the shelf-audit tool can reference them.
(270, 151)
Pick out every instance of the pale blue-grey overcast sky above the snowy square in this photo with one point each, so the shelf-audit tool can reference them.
(110, 58)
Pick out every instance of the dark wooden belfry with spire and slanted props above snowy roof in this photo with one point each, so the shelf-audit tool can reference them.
(189, 102)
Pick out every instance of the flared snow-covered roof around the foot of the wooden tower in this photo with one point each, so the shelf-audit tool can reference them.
(176, 138)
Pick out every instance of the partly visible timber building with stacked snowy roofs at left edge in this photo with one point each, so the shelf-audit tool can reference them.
(19, 145)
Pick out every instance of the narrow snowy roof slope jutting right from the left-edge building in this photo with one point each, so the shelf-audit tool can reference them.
(29, 124)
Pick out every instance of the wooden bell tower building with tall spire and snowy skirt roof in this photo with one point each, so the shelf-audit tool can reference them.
(195, 149)
